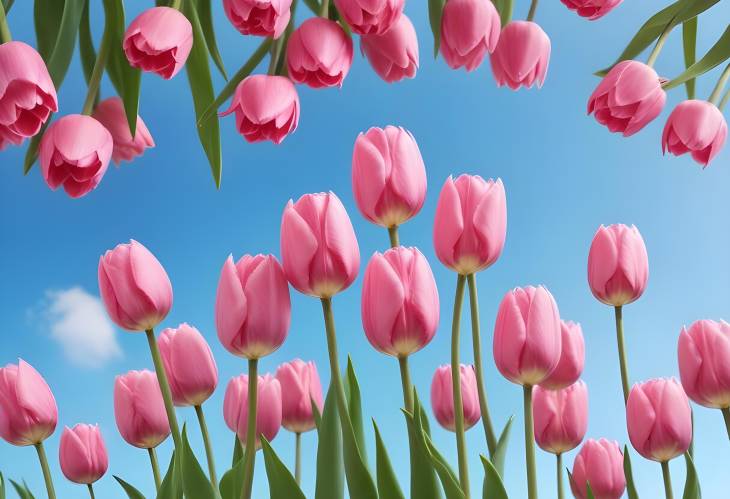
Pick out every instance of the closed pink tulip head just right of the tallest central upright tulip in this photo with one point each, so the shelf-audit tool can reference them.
(470, 224)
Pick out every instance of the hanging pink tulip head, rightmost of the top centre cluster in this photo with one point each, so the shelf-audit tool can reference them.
(522, 55)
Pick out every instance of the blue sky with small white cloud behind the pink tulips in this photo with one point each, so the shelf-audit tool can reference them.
(564, 176)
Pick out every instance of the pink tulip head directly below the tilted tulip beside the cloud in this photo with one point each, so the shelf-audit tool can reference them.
(140, 410)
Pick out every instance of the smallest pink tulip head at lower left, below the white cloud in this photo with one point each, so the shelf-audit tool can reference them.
(82, 453)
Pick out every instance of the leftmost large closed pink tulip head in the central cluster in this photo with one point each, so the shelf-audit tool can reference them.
(252, 306)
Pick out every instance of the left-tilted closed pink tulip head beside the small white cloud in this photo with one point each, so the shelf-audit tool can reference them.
(134, 286)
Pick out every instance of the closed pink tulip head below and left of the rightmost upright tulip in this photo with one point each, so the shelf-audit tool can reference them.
(659, 419)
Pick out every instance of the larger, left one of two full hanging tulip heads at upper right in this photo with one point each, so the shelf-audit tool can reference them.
(629, 97)
